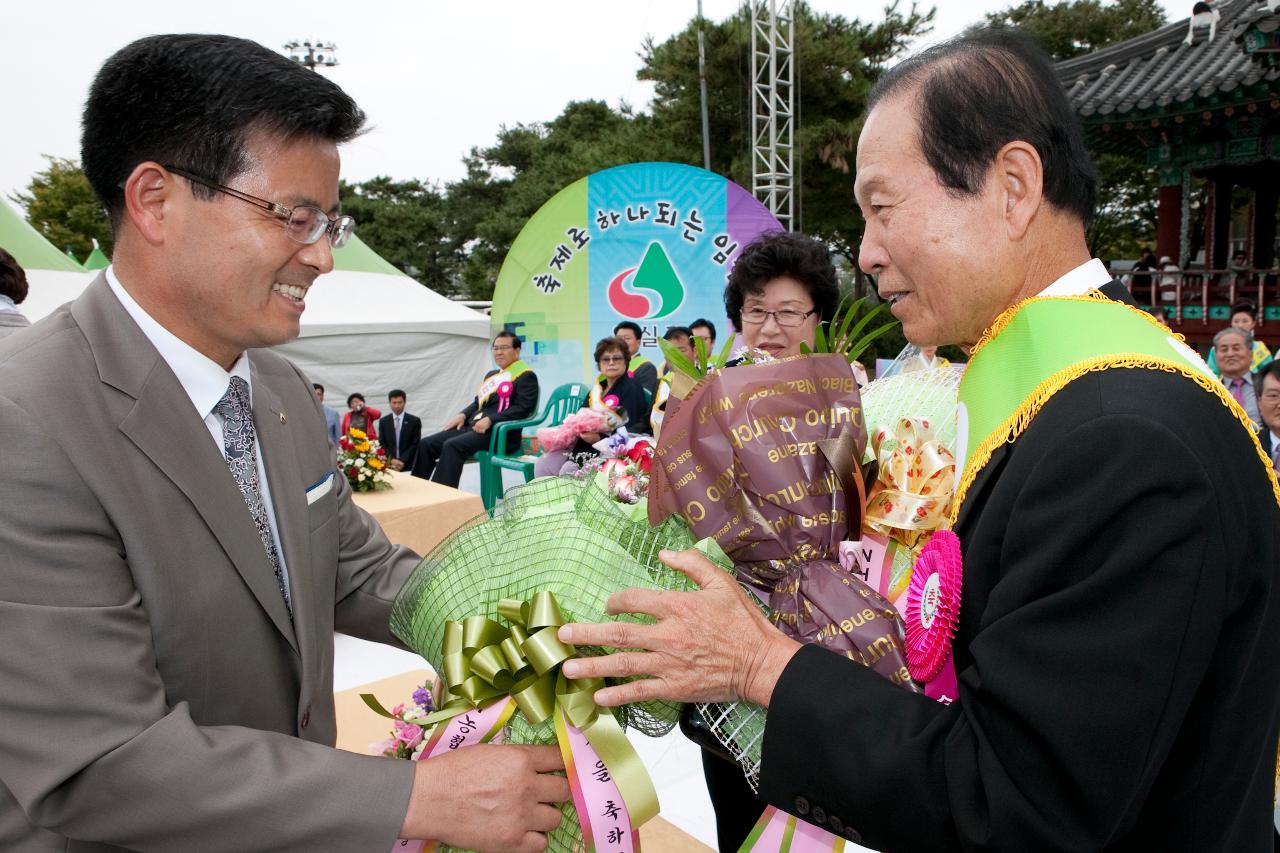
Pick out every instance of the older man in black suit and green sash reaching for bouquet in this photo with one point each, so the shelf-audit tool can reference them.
(1118, 647)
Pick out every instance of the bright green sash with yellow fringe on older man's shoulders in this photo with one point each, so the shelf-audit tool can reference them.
(1035, 349)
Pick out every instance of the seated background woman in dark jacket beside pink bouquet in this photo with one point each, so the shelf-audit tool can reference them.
(616, 396)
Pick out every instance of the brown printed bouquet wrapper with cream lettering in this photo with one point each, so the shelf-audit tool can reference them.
(765, 460)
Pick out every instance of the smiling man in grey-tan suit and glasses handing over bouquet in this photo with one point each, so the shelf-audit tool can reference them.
(177, 548)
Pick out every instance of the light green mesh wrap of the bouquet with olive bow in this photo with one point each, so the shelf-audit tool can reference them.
(560, 535)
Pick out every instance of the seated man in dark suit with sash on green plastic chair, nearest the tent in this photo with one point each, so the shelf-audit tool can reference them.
(509, 393)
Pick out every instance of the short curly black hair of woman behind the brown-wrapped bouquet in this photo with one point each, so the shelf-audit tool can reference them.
(783, 254)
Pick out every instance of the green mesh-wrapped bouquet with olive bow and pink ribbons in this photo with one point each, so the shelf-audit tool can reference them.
(483, 610)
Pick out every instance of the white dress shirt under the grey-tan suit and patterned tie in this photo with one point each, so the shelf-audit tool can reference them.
(205, 384)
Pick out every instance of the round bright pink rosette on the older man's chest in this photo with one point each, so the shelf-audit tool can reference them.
(934, 606)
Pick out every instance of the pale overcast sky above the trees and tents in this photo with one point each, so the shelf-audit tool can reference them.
(435, 79)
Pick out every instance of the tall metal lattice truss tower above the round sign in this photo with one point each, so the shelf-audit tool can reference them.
(774, 107)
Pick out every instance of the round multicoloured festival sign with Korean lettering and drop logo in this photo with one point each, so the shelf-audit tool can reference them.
(650, 243)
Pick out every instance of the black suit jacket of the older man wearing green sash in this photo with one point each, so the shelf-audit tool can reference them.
(1118, 651)
